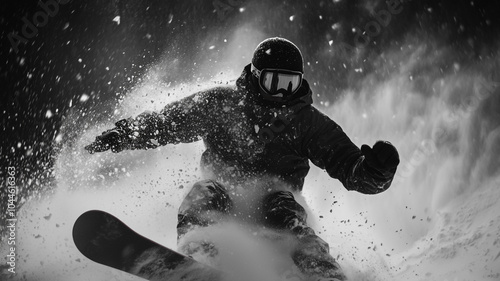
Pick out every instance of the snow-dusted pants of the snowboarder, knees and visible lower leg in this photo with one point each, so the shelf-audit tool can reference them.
(208, 202)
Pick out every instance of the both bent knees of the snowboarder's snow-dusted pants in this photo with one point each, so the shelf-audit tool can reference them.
(208, 201)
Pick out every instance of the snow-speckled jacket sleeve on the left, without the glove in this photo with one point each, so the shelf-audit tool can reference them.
(183, 121)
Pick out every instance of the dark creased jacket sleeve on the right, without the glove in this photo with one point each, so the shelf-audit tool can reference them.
(329, 148)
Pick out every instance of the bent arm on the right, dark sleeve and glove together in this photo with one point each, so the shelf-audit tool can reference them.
(368, 170)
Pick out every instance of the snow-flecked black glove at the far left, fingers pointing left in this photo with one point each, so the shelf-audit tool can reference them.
(116, 139)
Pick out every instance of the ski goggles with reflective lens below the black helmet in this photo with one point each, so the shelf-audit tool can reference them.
(278, 82)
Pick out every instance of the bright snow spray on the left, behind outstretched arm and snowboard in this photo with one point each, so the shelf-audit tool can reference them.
(143, 188)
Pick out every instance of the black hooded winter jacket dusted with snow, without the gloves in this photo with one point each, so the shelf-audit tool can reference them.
(245, 137)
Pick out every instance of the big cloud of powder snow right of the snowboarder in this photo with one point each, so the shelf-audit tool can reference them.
(440, 217)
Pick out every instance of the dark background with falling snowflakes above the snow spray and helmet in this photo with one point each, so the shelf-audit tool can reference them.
(46, 74)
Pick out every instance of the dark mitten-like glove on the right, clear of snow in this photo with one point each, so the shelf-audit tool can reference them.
(382, 157)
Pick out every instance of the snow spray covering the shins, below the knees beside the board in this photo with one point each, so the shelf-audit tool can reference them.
(245, 252)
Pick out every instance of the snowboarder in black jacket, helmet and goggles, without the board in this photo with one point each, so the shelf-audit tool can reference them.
(260, 133)
